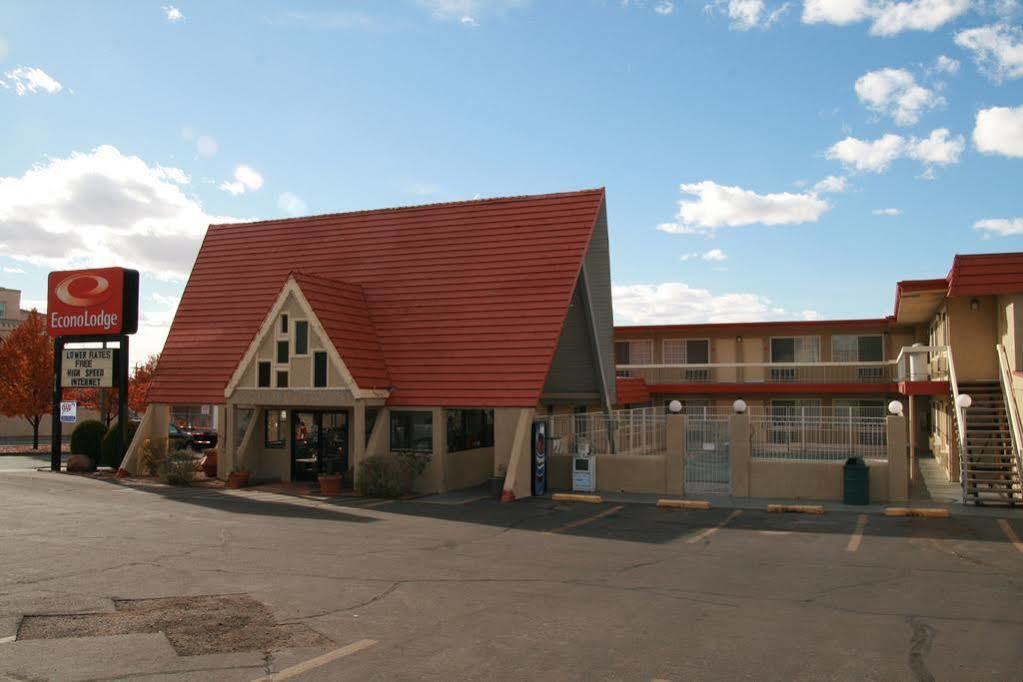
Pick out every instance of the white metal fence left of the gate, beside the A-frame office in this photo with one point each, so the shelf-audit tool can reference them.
(638, 432)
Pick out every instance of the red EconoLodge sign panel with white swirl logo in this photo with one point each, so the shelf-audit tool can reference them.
(102, 302)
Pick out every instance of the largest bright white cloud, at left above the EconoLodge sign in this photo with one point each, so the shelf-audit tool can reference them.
(103, 208)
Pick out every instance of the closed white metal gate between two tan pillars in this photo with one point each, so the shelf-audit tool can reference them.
(708, 462)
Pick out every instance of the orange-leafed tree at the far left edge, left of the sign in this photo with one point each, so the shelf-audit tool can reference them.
(27, 374)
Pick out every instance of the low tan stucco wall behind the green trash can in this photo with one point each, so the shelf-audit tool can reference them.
(811, 481)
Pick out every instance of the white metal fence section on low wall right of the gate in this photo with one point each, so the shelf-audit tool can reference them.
(816, 434)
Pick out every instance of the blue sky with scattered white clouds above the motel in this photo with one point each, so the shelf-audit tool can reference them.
(822, 151)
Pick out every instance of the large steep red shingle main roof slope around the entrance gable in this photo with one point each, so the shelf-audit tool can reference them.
(468, 299)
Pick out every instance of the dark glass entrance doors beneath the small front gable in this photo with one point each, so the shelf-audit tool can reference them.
(319, 440)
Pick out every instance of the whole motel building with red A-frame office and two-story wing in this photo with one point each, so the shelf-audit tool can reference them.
(454, 330)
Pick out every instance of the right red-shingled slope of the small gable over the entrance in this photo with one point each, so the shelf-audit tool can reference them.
(343, 311)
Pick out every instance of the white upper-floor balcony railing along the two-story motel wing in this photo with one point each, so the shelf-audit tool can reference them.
(917, 363)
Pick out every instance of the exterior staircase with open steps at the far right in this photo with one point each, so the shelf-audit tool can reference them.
(990, 472)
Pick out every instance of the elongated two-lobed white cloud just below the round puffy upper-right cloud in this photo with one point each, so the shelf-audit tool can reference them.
(940, 149)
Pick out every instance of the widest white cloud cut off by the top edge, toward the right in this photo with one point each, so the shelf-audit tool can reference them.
(887, 18)
